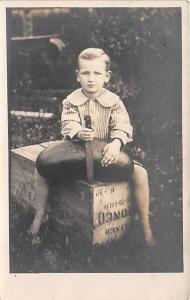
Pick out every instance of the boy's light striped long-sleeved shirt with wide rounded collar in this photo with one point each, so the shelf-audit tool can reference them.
(109, 117)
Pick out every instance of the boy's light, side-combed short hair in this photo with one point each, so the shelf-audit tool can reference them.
(92, 53)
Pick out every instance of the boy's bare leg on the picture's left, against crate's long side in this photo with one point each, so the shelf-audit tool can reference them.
(41, 198)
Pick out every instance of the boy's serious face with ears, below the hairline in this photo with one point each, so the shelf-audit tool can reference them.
(92, 75)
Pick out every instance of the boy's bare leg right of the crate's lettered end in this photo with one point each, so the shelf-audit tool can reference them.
(141, 193)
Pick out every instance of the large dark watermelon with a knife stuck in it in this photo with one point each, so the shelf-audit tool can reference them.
(66, 160)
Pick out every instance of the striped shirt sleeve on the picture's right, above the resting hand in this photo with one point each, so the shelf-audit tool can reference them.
(120, 126)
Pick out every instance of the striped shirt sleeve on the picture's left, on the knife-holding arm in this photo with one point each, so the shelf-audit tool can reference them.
(70, 120)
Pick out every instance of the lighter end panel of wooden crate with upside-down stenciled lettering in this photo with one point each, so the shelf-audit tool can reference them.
(111, 205)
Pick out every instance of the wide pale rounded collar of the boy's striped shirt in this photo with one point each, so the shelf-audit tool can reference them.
(106, 98)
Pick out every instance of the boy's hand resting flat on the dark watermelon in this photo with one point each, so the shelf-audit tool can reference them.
(111, 153)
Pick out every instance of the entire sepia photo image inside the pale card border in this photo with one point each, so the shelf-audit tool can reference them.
(94, 99)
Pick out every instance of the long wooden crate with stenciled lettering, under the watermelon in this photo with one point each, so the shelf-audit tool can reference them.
(98, 212)
